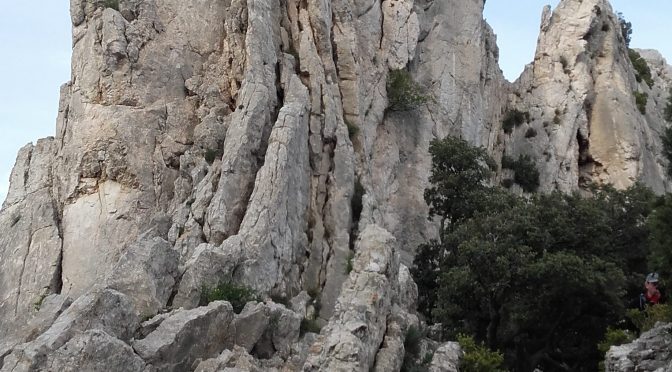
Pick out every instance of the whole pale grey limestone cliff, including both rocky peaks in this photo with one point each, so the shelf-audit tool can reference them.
(223, 141)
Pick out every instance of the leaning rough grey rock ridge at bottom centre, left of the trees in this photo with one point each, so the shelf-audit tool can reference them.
(351, 339)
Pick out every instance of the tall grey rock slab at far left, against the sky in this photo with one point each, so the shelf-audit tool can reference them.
(30, 245)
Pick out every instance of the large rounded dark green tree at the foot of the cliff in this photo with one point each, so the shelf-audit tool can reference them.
(533, 280)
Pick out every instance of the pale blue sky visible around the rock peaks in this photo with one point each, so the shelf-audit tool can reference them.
(35, 57)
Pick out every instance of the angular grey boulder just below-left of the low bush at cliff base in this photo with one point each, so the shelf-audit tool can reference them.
(188, 335)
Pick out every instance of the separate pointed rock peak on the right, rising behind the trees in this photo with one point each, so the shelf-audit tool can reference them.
(584, 125)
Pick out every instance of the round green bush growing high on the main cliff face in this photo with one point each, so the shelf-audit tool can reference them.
(403, 93)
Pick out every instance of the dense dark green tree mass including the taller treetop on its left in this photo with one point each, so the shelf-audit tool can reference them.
(540, 277)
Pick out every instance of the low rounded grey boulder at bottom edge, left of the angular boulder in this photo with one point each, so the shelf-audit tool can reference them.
(95, 350)
